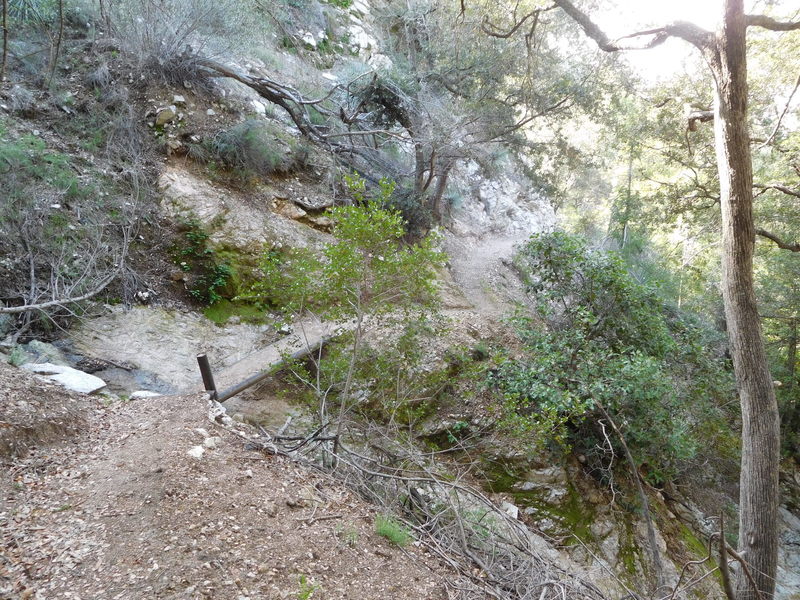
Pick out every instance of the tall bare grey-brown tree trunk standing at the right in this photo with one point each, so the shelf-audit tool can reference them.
(758, 496)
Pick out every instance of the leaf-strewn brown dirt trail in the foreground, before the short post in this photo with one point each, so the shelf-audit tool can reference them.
(126, 512)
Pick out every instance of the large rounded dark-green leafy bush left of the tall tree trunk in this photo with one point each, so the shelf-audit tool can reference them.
(598, 339)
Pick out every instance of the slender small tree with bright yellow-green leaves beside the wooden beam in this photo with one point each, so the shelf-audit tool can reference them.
(365, 276)
